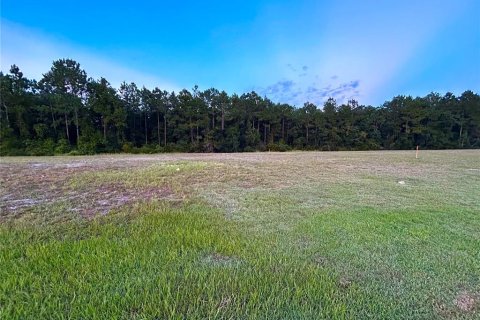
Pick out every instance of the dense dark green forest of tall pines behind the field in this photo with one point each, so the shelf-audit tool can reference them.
(67, 112)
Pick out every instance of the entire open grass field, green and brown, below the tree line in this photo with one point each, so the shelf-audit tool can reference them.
(301, 235)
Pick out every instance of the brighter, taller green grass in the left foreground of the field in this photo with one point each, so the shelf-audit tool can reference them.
(165, 263)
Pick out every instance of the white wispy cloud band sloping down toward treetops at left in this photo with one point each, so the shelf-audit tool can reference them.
(33, 52)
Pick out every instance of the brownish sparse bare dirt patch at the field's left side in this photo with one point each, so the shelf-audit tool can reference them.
(27, 186)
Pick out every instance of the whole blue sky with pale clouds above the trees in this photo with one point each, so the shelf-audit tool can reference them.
(289, 51)
